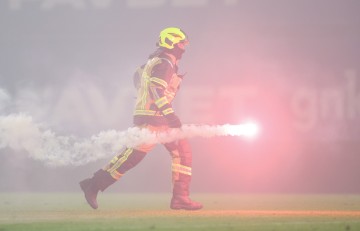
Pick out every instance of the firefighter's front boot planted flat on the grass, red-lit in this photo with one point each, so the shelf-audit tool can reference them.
(181, 200)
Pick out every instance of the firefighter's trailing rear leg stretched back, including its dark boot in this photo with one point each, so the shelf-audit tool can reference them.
(112, 172)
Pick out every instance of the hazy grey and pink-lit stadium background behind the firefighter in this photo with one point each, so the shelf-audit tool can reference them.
(291, 65)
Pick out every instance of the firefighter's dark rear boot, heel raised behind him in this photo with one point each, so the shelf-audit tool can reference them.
(91, 186)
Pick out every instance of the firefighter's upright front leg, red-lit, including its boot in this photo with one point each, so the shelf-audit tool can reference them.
(181, 176)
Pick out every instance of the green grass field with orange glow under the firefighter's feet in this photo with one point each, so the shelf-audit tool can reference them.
(69, 212)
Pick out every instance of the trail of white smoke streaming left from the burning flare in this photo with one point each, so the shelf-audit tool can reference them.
(20, 132)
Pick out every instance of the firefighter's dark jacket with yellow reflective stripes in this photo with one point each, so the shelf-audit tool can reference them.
(157, 83)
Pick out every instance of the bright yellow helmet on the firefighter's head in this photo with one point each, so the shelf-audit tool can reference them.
(171, 36)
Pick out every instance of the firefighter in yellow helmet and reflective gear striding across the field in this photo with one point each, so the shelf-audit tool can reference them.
(157, 83)
